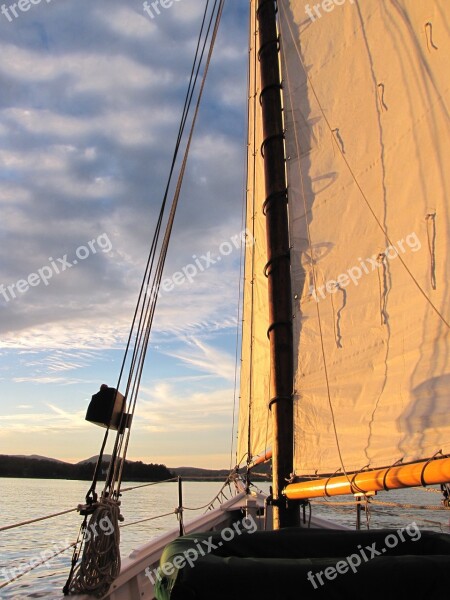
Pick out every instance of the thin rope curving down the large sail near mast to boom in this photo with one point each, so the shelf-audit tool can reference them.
(313, 271)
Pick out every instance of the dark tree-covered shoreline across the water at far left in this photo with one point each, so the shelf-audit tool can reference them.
(47, 468)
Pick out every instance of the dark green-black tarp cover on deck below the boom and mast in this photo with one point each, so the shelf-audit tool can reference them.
(298, 563)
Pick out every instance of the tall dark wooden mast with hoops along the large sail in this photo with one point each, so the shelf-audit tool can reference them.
(278, 265)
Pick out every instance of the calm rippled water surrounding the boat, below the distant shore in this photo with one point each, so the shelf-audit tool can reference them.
(24, 499)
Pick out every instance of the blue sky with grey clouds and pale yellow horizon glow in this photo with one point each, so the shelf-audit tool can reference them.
(91, 95)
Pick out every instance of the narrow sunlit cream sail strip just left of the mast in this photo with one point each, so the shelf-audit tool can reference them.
(255, 425)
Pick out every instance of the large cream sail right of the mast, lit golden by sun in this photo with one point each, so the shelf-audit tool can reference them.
(367, 101)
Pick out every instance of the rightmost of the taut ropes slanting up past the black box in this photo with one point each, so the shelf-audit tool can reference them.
(169, 225)
